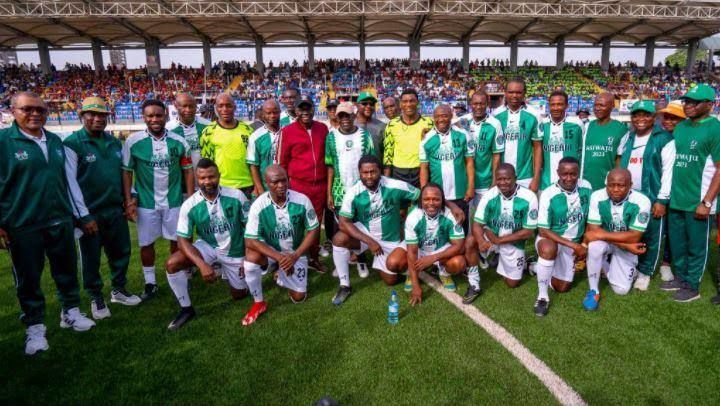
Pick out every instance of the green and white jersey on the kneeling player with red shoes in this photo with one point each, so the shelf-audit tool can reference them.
(281, 227)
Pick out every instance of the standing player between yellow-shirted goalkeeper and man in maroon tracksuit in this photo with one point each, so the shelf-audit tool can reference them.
(263, 145)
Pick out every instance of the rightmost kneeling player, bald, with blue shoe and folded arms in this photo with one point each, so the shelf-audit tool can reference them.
(617, 219)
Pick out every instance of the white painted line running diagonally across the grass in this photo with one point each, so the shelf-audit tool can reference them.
(555, 384)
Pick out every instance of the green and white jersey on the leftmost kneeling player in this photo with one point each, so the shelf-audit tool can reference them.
(220, 222)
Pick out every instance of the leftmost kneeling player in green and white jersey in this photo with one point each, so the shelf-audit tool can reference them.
(218, 215)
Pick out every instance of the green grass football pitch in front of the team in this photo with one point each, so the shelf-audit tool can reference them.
(638, 349)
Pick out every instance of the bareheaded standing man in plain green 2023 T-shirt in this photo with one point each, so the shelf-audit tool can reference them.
(604, 142)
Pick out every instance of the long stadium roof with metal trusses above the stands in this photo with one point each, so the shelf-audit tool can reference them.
(277, 23)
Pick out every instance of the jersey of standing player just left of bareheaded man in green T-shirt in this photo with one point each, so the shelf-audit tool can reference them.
(560, 140)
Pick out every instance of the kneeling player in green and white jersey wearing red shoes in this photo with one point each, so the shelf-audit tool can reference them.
(281, 229)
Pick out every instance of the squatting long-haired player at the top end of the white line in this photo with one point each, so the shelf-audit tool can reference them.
(433, 236)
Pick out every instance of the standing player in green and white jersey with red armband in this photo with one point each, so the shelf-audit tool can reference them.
(155, 163)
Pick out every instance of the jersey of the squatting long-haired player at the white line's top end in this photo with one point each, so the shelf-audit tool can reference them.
(432, 233)
